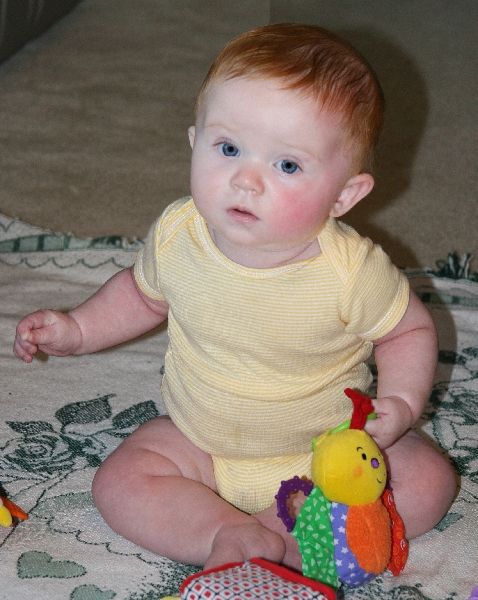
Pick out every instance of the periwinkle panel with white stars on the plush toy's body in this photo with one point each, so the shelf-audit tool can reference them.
(348, 569)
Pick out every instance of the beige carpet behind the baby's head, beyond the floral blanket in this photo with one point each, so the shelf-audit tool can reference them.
(93, 115)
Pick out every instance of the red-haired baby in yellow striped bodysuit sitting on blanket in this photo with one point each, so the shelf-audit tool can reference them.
(273, 305)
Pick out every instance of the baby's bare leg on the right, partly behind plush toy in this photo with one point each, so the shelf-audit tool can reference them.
(423, 482)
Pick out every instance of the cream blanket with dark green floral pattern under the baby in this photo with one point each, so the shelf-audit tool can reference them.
(59, 418)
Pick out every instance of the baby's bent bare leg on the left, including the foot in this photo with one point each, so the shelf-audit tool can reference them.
(157, 489)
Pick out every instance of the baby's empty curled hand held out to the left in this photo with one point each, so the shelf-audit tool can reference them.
(50, 331)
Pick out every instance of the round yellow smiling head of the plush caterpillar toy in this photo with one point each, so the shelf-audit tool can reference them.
(348, 467)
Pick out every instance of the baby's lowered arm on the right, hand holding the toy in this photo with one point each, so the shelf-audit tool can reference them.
(406, 360)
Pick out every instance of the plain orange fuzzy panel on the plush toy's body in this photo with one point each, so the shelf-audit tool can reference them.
(369, 535)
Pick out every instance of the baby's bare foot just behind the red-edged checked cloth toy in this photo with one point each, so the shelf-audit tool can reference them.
(241, 542)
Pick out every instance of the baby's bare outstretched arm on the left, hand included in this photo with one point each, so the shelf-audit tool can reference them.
(118, 312)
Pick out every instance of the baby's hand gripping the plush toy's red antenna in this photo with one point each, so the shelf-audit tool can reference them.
(394, 418)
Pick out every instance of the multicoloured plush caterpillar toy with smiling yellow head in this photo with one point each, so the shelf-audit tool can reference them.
(348, 530)
